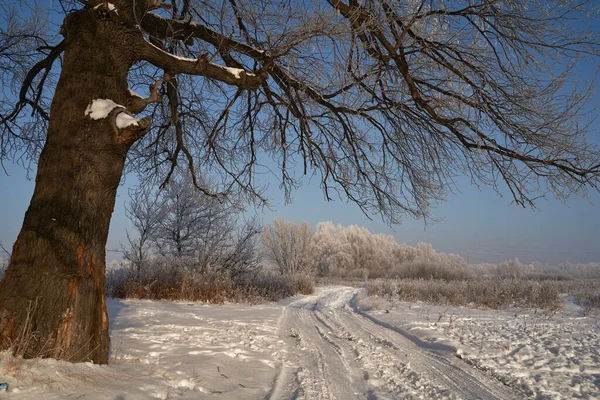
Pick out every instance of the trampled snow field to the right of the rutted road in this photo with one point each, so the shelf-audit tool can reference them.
(547, 355)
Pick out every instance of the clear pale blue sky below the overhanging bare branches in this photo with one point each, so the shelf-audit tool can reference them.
(479, 225)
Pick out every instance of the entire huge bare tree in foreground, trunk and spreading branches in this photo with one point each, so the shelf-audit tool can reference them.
(384, 101)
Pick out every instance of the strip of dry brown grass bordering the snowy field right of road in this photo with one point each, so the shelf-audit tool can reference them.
(483, 293)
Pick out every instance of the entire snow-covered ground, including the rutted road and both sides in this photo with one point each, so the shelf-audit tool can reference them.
(326, 346)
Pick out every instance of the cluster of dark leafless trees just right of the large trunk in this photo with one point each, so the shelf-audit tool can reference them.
(182, 224)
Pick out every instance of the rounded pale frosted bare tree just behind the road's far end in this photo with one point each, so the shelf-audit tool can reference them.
(288, 246)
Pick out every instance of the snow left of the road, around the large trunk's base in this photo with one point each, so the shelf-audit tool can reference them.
(164, 349)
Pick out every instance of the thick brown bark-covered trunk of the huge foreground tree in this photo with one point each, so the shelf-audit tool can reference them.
(52, 297)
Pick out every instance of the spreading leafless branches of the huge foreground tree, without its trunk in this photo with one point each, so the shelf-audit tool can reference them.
(383, 101)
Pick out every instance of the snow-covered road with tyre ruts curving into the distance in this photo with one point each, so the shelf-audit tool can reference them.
(335, 351)
